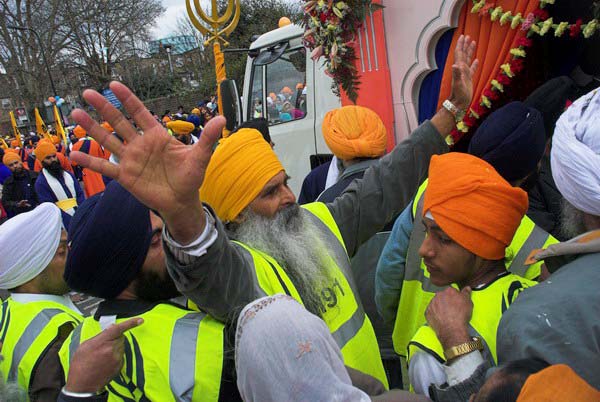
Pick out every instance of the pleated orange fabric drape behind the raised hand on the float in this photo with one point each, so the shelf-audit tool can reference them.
(494, 42)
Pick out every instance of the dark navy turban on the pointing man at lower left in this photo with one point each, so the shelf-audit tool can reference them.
(109, 237)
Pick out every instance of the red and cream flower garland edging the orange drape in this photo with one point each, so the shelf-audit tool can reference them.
(538, 22)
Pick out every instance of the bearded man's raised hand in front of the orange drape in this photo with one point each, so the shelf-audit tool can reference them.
(463, 70)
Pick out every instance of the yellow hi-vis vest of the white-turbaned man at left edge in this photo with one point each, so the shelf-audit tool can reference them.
(28, 329)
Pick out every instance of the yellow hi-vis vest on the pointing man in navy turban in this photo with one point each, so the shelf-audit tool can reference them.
(176, 355)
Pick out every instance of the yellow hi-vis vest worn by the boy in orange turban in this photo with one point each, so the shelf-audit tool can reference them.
(489, 303)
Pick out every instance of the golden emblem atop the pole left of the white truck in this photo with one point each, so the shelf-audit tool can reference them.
(219, 26)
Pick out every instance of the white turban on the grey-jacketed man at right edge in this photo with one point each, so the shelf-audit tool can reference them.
(576, 154)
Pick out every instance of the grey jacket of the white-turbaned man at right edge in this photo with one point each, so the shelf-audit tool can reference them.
(558, 320)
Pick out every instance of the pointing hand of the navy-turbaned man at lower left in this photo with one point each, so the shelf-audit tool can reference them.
(98, 360)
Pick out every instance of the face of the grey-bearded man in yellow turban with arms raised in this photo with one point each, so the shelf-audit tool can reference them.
(275, 196)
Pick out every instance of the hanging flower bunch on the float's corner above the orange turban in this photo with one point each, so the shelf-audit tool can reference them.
(330, 31)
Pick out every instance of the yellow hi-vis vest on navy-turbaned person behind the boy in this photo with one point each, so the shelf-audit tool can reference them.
(417, 289)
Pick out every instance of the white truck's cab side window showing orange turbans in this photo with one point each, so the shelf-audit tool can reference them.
(285, 81)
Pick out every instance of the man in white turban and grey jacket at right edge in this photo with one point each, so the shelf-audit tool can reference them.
(557, 320)
